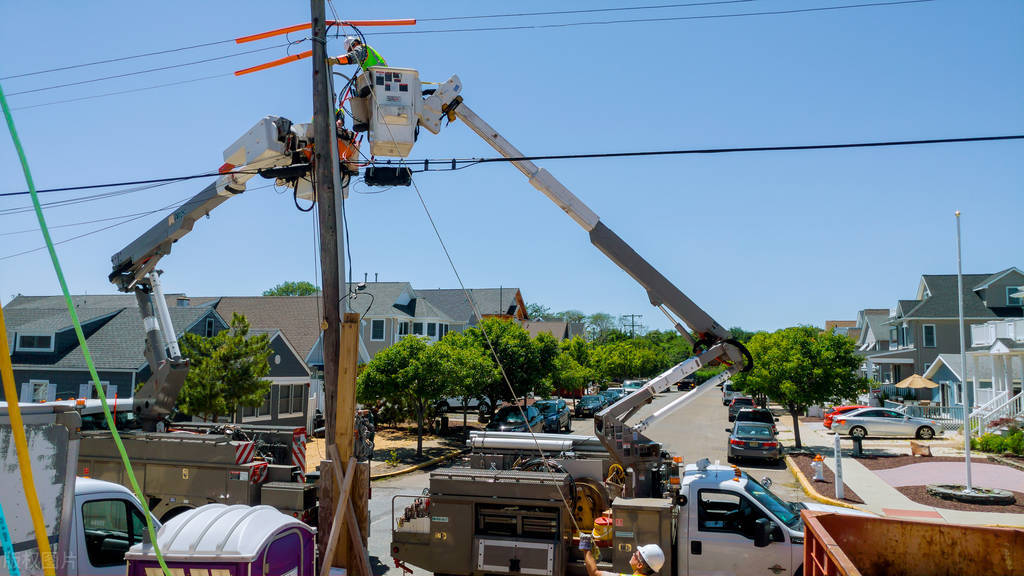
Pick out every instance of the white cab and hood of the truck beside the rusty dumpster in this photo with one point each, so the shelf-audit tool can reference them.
(718, 525)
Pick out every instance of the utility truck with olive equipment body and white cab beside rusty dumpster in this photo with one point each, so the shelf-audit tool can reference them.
(715, 520)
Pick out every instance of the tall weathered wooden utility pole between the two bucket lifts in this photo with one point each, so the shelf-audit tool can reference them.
(326, 195)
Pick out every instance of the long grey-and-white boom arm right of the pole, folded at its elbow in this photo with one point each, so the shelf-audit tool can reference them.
(626, 444)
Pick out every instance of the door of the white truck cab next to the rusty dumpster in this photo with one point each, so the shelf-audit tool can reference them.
(721, 541)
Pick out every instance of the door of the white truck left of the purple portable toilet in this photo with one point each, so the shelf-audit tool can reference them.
(106, 527)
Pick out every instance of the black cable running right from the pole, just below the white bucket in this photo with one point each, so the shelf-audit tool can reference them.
(475, 161)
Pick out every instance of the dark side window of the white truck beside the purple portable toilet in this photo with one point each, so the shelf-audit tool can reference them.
(111, 528)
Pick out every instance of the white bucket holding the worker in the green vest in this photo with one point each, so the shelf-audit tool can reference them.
(394, 111)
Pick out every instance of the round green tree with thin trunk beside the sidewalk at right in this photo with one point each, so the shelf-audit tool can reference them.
(801, 366)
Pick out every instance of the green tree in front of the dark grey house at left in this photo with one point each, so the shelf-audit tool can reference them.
(227, 372)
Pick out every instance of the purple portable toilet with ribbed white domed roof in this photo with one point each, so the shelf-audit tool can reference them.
(223, 541)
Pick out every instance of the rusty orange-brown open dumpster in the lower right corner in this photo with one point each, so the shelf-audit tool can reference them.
(855, 546)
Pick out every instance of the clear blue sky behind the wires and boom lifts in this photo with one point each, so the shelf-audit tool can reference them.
(762, 241)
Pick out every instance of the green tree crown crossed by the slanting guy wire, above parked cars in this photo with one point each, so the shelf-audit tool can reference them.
(528, 363)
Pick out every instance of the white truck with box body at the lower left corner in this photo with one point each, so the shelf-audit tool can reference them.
(91, 523)
